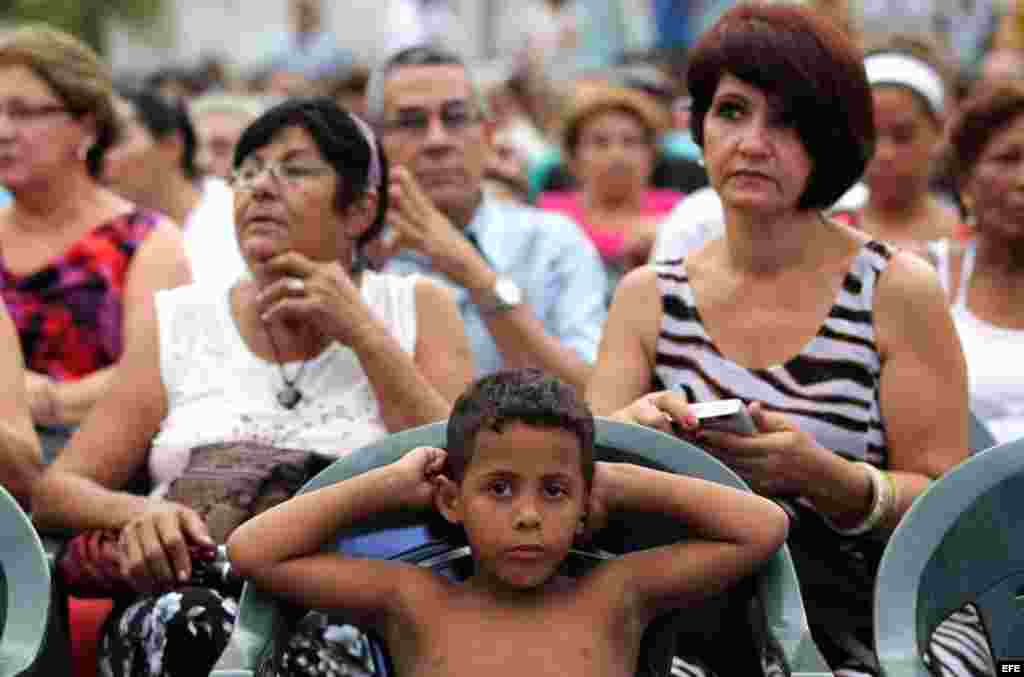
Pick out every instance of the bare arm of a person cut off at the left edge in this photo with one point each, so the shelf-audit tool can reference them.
(21, 461)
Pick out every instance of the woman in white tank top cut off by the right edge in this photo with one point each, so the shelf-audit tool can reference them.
(985, 277)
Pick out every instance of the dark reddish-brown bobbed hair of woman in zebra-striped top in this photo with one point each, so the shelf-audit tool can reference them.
(816, 71)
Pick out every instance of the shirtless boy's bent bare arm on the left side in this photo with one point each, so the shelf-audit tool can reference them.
(280, 549)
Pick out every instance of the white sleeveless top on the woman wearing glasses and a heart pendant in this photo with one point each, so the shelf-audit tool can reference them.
(219, 392)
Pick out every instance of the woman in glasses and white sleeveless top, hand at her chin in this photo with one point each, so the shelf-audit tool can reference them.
(234, 398)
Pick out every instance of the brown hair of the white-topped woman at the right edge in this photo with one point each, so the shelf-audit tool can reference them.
(991, 110)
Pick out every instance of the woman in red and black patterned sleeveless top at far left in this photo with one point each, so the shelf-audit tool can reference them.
(78, 261)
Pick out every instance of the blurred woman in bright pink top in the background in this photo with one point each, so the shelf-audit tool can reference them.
(611, 138)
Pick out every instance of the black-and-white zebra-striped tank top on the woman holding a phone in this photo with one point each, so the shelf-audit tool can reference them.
(830, 389)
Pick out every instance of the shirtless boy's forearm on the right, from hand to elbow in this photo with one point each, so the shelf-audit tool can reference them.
(711, 511)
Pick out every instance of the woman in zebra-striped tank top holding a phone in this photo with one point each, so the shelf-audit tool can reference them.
(842, 348)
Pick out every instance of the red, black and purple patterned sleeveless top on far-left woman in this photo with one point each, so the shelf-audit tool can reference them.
(69, 313)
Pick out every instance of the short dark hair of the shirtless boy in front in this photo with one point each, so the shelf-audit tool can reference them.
(524, 396)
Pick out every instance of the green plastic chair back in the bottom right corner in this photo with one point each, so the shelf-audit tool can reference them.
(961, 542)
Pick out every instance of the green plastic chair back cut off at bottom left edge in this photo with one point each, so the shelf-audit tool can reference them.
(25, 590)
